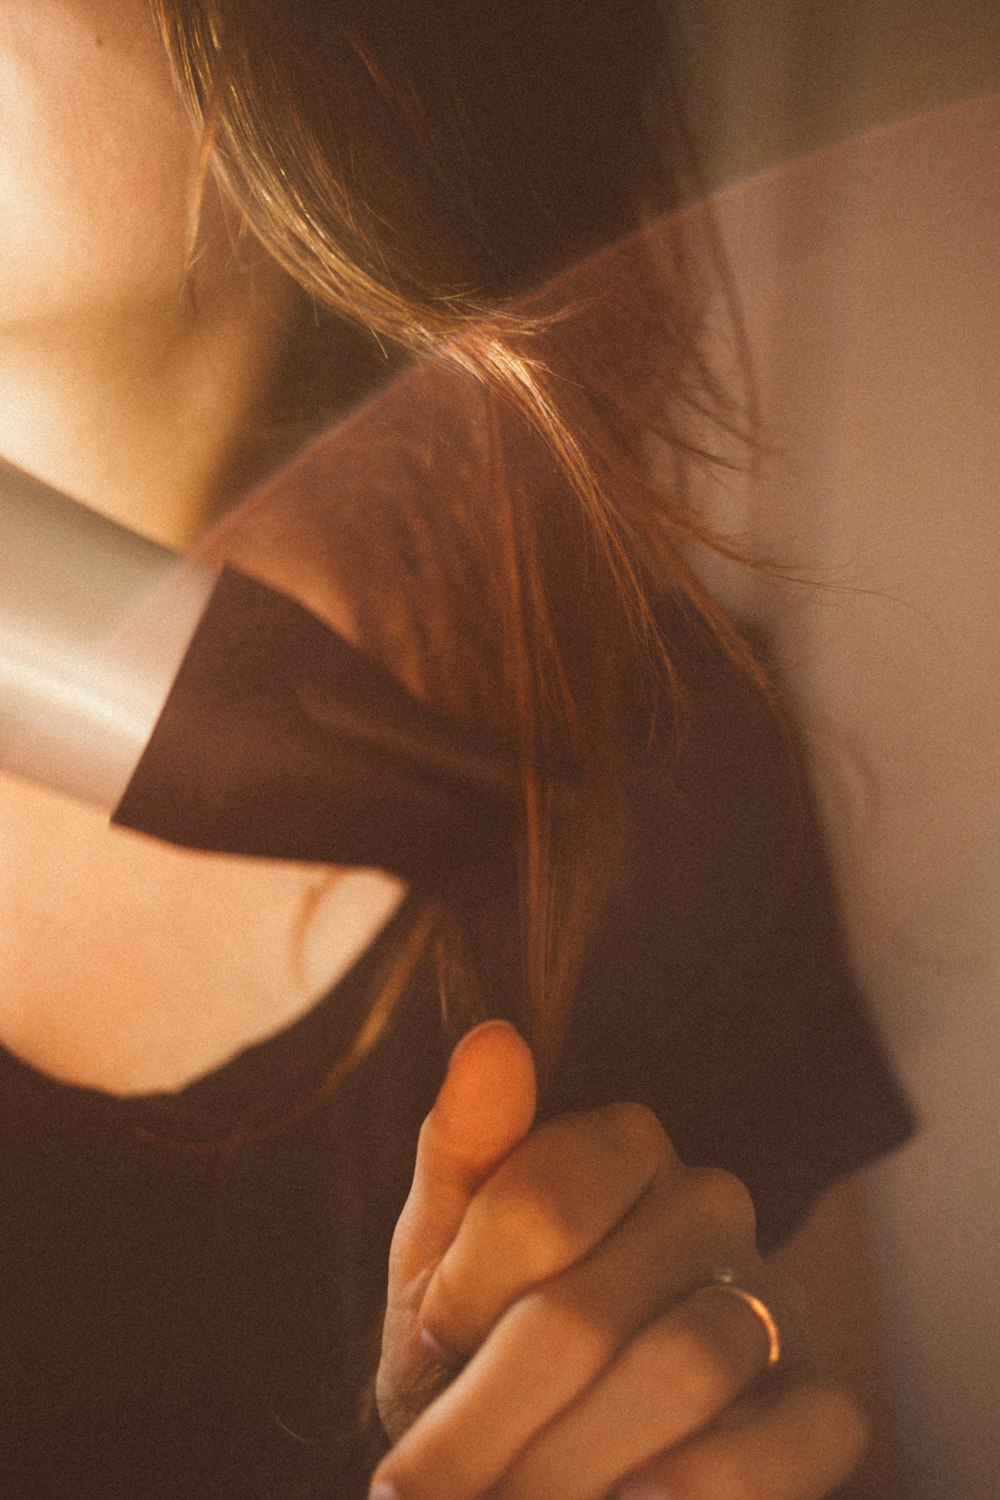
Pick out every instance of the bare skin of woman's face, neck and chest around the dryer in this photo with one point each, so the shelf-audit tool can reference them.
(131, 370)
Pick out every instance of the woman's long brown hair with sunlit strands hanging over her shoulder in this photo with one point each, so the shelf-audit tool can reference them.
(422, 170)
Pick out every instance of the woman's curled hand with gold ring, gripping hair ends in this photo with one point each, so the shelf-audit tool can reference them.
(549, 1331)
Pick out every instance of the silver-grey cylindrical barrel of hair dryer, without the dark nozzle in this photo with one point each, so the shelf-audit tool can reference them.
(94, 625)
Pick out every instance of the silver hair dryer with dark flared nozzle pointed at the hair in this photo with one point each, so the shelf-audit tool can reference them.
(209, 710)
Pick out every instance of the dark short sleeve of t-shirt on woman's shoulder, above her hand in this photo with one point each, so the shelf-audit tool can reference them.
(720, 991)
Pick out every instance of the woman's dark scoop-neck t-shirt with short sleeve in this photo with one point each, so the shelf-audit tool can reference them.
(184, 1319)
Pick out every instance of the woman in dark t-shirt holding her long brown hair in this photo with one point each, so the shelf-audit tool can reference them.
(197, 1273)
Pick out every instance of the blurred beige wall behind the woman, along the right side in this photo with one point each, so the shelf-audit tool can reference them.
(875, 313)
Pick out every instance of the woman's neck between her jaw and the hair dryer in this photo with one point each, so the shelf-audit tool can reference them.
(148, 416)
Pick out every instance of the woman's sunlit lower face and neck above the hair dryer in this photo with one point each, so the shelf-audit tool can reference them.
(133, 352)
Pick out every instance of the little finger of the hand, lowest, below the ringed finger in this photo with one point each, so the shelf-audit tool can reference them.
(794, 1442)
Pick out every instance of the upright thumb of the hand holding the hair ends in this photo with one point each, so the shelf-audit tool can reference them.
(487, 1106)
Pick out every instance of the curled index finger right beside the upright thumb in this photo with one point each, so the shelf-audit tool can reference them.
(542, 1211)
